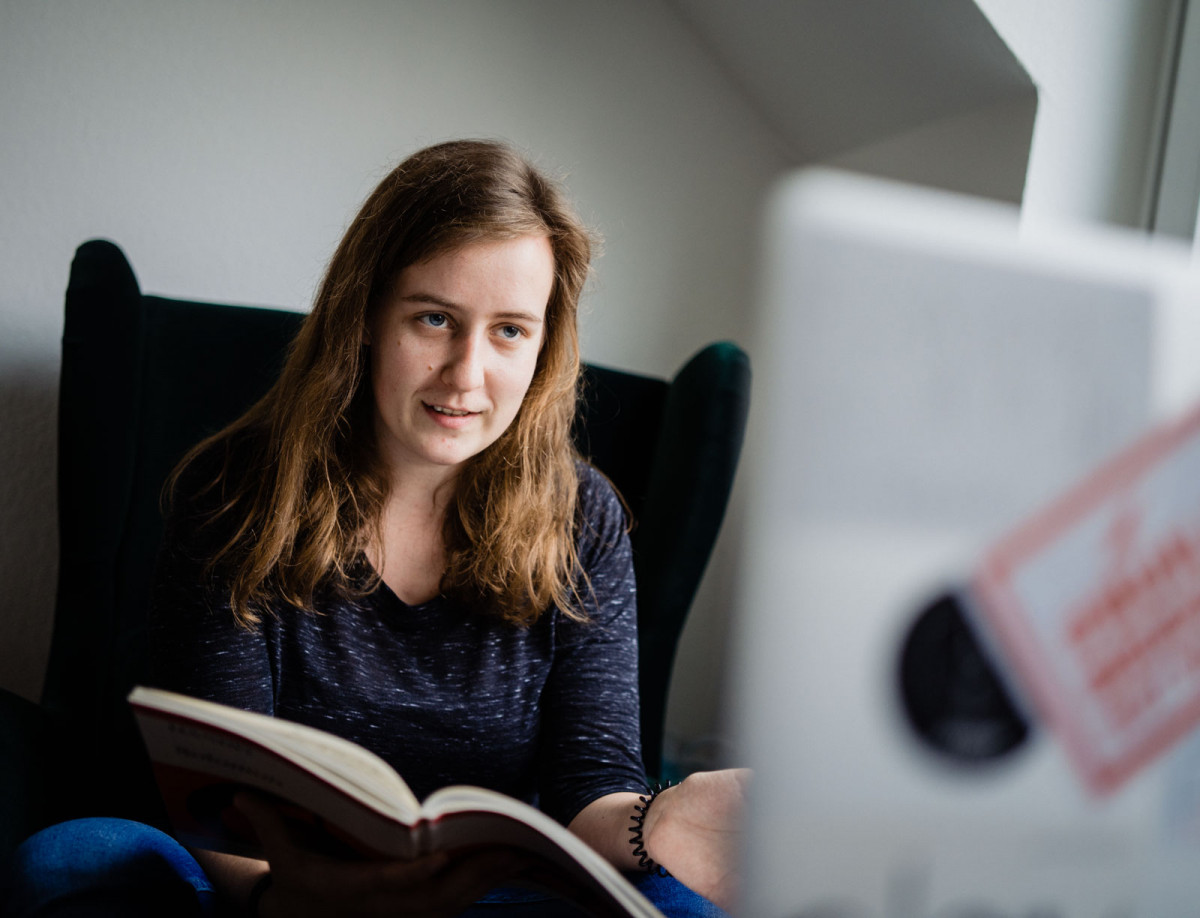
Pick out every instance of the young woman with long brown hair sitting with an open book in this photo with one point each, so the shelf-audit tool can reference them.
(400, 545)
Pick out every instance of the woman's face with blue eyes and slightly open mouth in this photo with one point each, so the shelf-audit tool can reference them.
(454, 350)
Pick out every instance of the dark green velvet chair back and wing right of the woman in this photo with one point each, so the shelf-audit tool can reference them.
(673, 449)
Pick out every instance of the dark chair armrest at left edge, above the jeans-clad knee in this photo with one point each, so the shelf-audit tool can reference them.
(28, 765)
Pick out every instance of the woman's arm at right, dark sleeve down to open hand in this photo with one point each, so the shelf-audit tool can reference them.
(591, 717)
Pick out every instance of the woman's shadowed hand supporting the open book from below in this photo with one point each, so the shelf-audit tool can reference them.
(307, 885)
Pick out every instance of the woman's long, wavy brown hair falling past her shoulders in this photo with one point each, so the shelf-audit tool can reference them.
(303, 500)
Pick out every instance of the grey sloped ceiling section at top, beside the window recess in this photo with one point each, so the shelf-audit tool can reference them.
(831, 76)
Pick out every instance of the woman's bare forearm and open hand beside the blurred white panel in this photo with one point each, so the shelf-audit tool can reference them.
(693, 830)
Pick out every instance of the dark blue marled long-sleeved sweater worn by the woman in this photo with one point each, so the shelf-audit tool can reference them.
(445, 694)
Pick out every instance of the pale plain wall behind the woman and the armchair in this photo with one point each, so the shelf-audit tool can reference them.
(225, 146)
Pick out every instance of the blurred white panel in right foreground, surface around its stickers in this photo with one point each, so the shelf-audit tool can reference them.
(929, 377)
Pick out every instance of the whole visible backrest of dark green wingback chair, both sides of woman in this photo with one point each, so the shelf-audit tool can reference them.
(147, 377)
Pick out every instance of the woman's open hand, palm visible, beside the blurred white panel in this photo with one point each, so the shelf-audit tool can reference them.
(694, 830)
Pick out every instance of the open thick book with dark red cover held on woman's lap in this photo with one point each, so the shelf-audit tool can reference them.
(347, 801)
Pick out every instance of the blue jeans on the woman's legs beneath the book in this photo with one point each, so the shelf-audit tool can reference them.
(104, 868)
